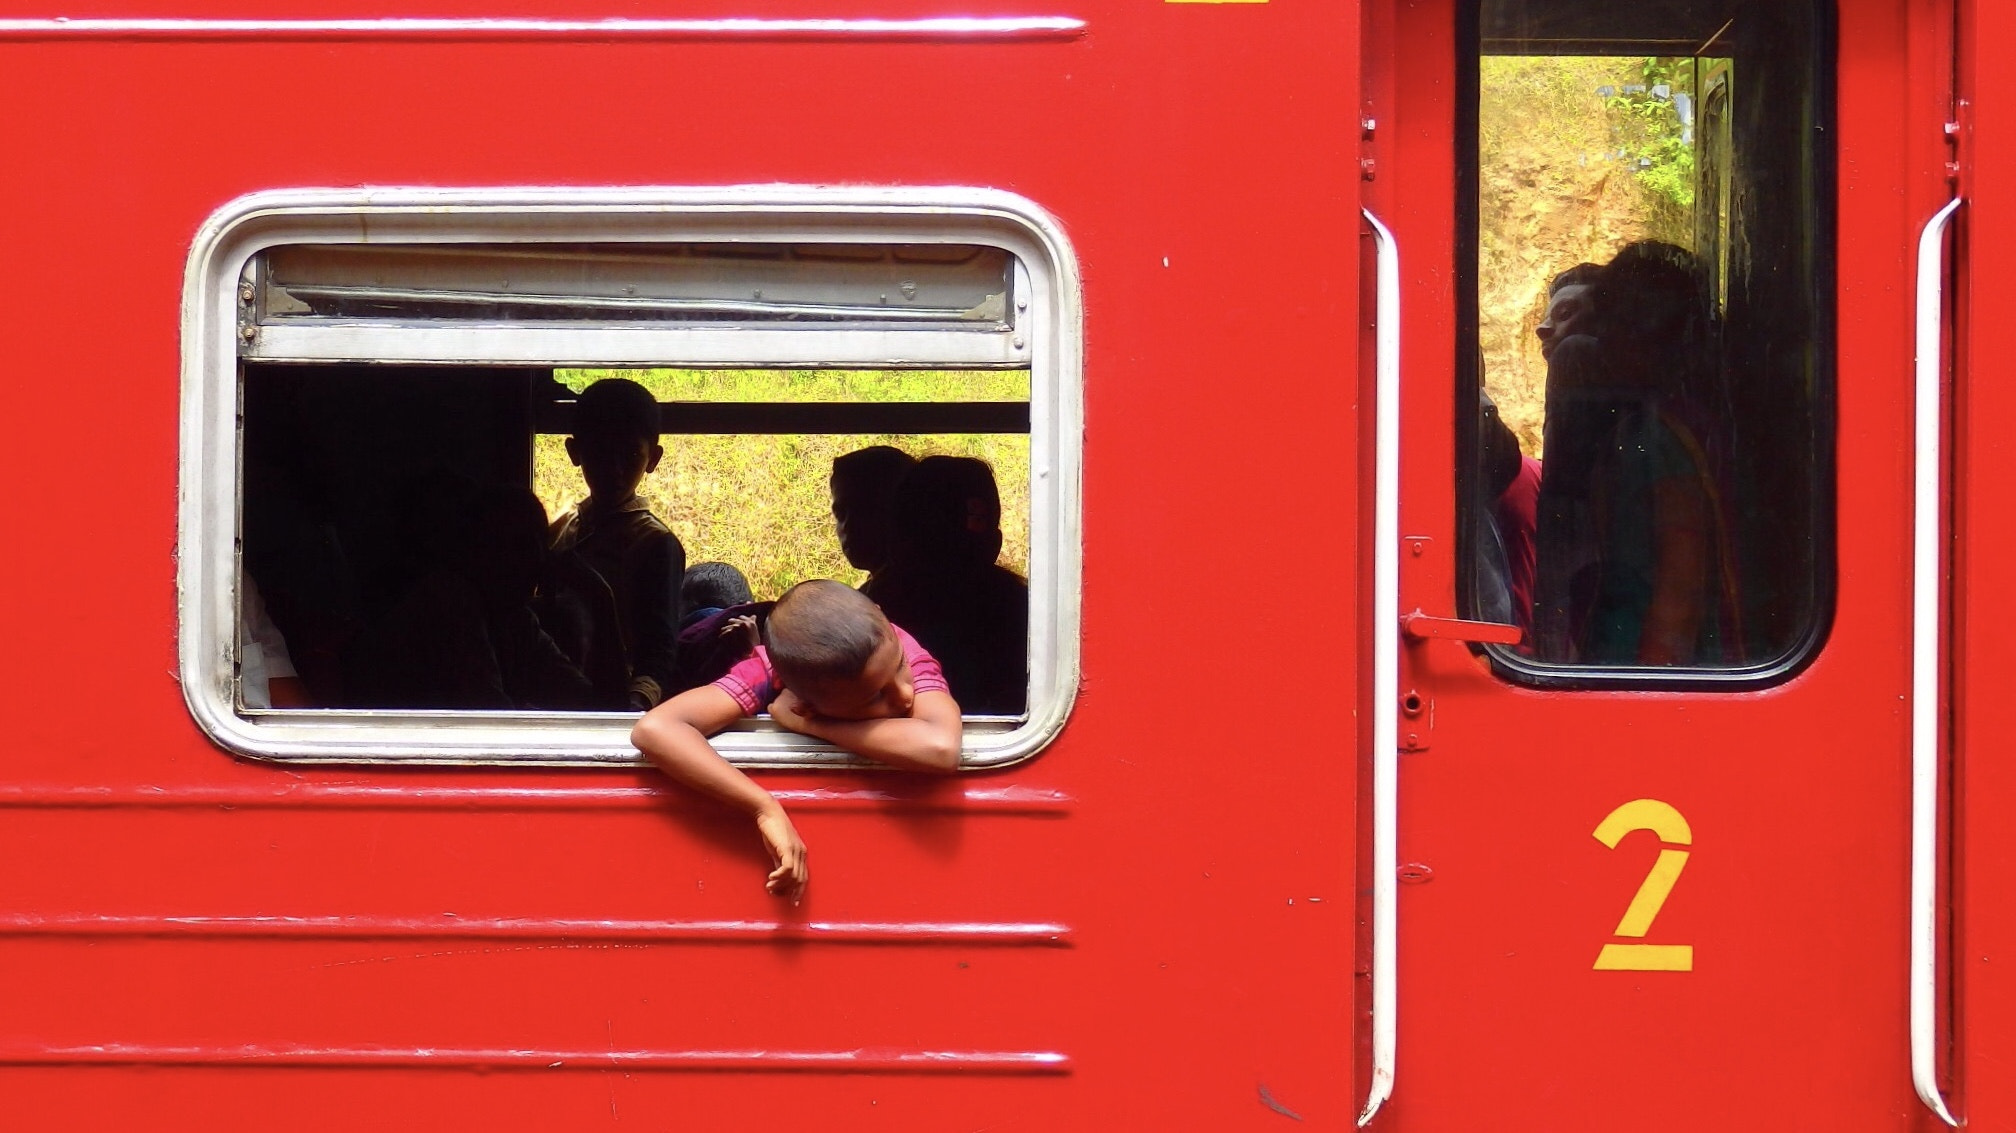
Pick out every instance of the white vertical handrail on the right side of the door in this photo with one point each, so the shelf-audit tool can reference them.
(1926, 654)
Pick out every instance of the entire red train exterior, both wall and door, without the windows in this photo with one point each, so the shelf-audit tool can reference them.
(1152, 924)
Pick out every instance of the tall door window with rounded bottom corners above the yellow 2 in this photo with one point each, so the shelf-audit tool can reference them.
(1646, 402)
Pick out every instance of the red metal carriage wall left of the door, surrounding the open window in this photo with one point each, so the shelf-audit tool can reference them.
(1148, 924)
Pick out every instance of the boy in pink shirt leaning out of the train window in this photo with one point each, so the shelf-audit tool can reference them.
(834, 670)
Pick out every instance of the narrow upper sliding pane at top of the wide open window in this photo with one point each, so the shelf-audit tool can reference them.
(648, 303)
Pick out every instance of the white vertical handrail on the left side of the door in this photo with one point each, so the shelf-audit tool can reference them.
(1386, 670)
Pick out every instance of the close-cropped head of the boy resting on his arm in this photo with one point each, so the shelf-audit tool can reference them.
(836, 650)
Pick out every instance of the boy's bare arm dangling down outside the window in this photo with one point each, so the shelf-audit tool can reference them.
(674, 737)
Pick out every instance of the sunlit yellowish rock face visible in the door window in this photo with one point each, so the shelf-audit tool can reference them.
(1553, 195)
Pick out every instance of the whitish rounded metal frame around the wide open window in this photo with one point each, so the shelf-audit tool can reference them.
(211, 499)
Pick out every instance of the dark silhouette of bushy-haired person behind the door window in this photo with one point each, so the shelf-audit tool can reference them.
(1632, 549)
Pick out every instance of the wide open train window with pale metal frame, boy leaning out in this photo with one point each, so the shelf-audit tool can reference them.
(380, 394)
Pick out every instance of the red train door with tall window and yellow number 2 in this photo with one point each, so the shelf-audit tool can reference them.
(1648, 864)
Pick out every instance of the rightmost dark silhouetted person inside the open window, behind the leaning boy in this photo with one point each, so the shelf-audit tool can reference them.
(947, 590)
